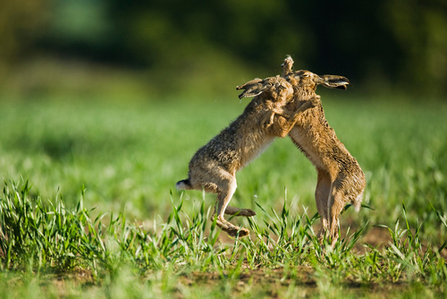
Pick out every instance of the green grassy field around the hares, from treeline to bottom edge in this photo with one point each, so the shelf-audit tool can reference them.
(89, 208)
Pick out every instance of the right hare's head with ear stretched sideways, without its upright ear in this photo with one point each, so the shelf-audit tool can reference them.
(311, 80)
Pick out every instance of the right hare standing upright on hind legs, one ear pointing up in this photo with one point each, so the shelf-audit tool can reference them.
(340, 178)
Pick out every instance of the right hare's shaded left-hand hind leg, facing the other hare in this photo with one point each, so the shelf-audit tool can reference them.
(322, 194)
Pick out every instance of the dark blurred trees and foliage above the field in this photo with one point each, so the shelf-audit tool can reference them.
(187, 46)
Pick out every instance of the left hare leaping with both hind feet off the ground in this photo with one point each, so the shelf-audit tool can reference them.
(213, 167)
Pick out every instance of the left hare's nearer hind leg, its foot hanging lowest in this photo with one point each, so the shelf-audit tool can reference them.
(224, 195)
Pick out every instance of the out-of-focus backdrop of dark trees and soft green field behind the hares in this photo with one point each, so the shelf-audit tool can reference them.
(116, 96)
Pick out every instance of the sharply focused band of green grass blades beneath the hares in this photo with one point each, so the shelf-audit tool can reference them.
(48, 239)
